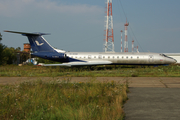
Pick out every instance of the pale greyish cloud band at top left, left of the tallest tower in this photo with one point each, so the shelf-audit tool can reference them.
(14, 8)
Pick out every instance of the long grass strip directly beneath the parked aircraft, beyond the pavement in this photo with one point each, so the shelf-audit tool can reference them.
(98, 71)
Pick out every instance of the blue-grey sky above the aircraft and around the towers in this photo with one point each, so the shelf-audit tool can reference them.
(78, 25)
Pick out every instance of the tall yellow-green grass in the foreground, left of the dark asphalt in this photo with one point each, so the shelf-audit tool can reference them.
(63, 100)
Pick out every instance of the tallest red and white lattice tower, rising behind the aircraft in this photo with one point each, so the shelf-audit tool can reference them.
(109, 37)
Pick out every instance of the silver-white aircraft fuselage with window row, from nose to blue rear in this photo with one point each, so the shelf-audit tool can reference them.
(122, 58)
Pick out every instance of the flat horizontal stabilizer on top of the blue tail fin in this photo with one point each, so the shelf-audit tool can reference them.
(28, 34)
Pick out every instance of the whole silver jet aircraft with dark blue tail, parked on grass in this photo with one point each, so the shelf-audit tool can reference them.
(41, 48)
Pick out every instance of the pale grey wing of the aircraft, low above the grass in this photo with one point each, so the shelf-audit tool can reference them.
(70, 64)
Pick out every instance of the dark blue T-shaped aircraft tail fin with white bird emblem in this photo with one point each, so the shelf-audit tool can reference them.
(37, 42)
